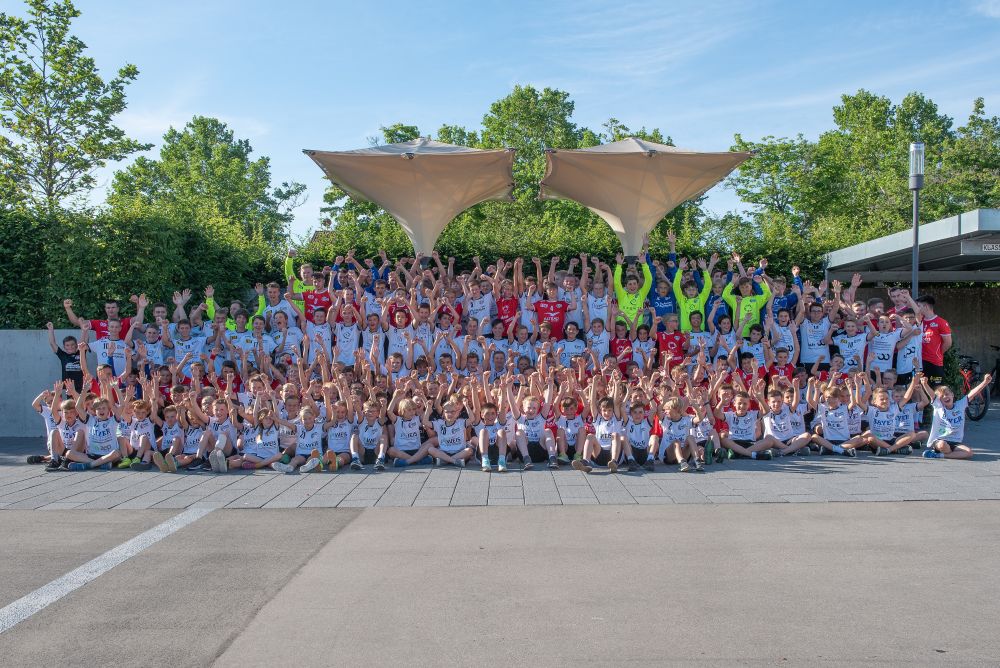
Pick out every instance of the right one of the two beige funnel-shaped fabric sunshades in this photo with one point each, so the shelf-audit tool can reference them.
(632, 184)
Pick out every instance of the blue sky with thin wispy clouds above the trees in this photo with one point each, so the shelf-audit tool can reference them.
(303, 74)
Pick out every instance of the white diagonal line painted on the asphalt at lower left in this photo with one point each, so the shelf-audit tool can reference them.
(46, 595)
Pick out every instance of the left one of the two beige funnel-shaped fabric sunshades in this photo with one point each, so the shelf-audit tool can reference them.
(422, 183)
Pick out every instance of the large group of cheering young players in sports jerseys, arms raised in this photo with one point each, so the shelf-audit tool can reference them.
(373, 363)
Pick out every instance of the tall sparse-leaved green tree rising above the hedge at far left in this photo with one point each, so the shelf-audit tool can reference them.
(56, 111)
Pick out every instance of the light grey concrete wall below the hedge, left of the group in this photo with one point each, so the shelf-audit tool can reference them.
(27, 366)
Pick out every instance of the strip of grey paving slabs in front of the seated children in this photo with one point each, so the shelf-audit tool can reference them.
(785, 480)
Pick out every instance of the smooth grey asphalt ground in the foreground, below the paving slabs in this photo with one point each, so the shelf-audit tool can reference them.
(792, 584)
